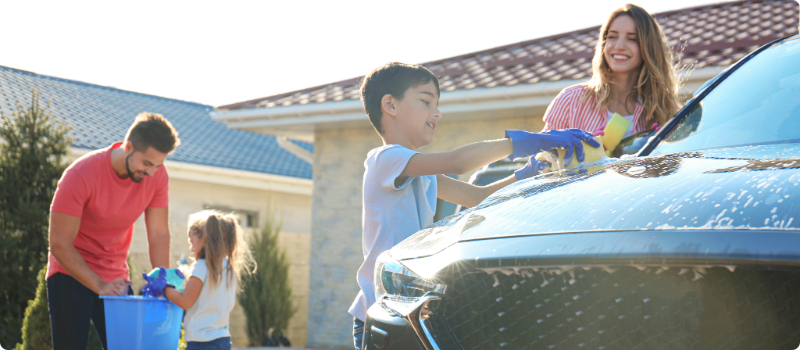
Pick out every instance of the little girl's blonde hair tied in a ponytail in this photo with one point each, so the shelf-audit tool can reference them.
(223, 240)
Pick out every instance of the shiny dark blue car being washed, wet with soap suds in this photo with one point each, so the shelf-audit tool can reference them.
(693, 243)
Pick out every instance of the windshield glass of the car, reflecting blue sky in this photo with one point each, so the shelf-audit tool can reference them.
(756, 104)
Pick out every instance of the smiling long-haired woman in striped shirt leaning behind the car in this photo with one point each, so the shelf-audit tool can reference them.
(632, 74)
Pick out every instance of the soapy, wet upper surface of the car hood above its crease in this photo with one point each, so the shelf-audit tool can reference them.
(603, 200)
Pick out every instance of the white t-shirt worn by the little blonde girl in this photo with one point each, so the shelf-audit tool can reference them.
(208, 318)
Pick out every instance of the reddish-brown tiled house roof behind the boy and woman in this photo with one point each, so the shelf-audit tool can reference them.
(703, 36)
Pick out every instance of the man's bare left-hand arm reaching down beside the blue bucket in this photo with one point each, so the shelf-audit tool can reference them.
(63, 230)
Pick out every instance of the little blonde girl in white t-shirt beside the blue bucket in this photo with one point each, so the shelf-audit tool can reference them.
(216, 241)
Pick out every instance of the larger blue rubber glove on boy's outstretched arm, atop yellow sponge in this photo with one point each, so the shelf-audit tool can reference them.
(527, 143)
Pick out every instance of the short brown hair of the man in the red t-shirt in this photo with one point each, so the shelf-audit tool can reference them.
(152, 130)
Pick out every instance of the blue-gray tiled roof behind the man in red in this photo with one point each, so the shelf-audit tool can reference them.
(102, 115)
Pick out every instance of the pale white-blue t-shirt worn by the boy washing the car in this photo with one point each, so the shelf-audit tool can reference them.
(390, 214)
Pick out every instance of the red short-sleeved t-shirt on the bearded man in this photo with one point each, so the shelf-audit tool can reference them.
(108, 206)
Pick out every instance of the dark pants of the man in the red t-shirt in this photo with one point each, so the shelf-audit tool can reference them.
(72, 305)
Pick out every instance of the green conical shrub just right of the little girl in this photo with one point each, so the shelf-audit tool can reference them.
(266, 296)
